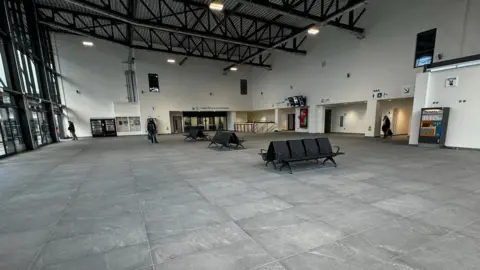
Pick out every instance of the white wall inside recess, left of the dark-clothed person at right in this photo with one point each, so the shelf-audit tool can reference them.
(354, 118)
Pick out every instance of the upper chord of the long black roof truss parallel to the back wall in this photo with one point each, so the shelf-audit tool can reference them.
(167, 28)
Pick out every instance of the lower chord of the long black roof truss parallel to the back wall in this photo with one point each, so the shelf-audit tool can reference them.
(72, 30)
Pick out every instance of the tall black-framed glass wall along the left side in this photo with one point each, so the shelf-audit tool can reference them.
(29, 90)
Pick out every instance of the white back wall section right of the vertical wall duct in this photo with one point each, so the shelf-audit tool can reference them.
(185, 87)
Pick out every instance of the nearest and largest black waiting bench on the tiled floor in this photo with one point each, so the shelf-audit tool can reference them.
(286, 152)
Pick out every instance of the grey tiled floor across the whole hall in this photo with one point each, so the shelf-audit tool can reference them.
(124, 204)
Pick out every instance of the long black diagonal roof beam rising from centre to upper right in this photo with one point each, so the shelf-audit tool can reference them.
(352, 5)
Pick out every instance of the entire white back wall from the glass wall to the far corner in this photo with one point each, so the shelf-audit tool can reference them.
(98, 73)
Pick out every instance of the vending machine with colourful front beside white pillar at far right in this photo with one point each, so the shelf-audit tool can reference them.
(433, 126)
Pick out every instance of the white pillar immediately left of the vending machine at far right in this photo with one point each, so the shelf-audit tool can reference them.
(422, 84)
